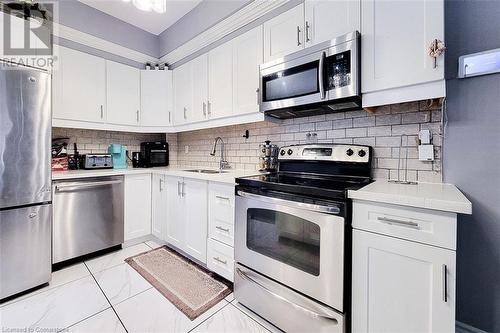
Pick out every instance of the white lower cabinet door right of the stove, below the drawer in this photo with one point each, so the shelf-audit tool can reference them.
(401, 286)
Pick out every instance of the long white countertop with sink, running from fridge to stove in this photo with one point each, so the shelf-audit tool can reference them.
(228, 176)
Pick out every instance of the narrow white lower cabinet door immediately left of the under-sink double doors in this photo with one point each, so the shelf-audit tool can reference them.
(159, 207)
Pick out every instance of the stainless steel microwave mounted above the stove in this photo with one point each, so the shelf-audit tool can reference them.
(320, 79)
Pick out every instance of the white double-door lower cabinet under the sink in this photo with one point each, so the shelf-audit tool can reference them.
(187, 215)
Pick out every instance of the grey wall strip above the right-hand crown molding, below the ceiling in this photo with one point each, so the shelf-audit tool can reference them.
(202, 17)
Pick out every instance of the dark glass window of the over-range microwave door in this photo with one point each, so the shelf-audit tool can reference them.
(294, 82)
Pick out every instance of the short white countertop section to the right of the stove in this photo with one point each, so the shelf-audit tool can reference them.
(444, 197)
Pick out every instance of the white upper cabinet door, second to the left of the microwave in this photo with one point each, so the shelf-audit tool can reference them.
(220, 76)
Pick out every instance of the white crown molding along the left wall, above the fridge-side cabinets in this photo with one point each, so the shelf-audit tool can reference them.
(74, 35)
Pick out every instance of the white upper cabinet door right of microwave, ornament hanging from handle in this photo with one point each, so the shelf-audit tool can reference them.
(394, 41)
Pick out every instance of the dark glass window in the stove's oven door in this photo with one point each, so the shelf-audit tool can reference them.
(284, 237)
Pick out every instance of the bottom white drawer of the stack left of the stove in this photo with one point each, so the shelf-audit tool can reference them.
(220, 259)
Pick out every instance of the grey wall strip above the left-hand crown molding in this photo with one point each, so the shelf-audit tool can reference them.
(79, 16)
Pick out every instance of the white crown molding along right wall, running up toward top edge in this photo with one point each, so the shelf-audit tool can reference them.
(242, 17)
